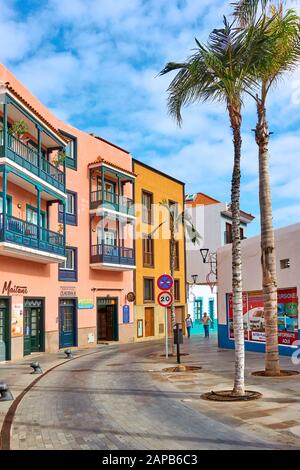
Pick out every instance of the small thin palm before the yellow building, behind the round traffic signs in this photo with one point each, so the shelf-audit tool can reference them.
(178, 222)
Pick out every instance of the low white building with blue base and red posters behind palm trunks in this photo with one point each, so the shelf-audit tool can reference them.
(288, 274)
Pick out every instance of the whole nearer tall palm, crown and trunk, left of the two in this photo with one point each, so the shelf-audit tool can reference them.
(219, 71)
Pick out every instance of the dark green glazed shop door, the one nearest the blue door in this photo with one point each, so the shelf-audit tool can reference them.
(34, 329)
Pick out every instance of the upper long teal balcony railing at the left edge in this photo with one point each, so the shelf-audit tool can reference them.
(29, 159)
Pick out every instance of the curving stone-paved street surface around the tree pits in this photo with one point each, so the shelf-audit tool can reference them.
(119, 398)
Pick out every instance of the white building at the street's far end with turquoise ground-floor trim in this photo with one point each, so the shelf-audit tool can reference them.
(213, 220)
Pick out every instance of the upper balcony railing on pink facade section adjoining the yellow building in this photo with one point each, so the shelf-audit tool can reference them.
(111, 200)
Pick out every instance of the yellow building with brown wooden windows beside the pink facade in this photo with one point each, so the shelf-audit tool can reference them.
(153, 187)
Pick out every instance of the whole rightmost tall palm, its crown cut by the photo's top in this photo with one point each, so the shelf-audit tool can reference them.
(283, 54)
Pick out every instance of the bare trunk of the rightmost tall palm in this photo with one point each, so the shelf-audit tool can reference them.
(268, 256)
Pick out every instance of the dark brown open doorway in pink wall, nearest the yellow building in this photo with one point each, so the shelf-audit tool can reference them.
(107, 319)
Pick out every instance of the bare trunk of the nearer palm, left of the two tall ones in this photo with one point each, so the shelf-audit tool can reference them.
(237, 290)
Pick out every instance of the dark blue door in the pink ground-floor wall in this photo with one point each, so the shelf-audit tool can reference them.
(67, 323)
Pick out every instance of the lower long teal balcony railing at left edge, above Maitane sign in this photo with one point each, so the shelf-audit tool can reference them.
(14, 230)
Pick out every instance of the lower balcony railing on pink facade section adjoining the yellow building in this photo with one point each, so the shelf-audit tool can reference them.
(111, 254)
